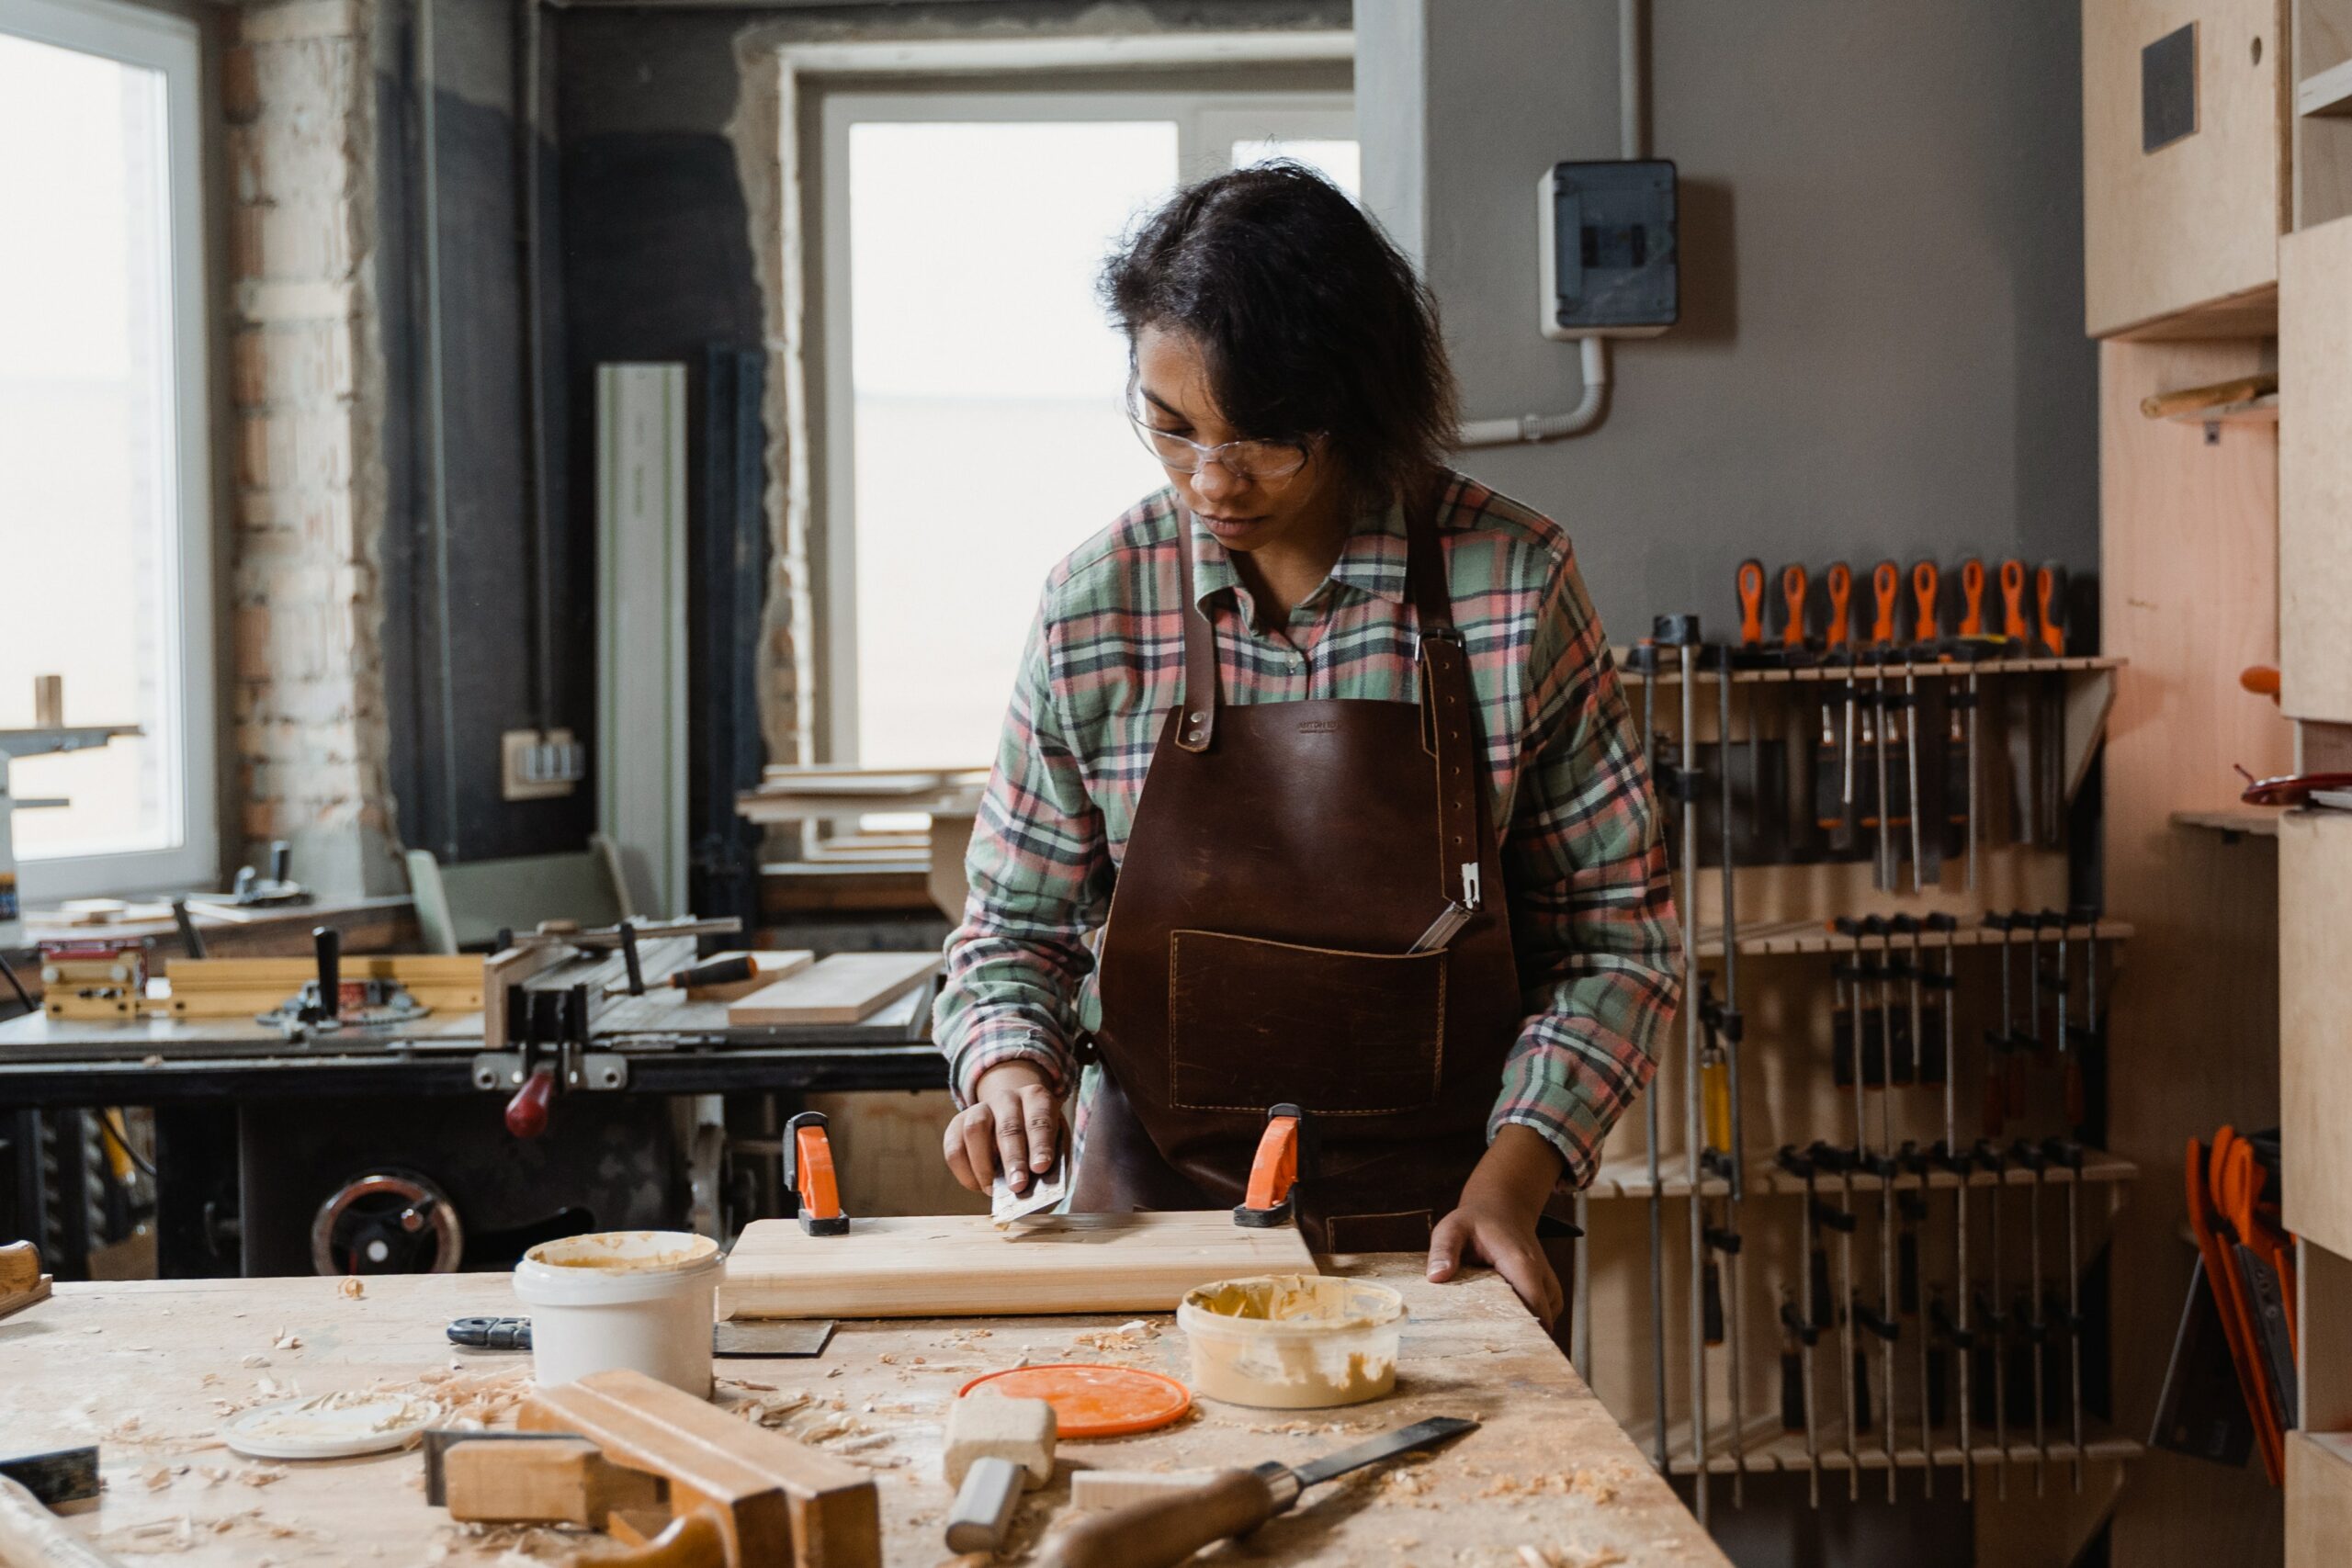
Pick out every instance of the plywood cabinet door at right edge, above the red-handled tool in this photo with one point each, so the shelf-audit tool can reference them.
(2316, 474)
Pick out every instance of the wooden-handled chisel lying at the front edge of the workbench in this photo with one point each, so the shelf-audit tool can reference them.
(1165, 1532)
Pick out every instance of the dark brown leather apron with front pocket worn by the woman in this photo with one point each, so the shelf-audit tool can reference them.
(1283, 864)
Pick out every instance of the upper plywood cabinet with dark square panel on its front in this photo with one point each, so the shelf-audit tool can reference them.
(2186, 126)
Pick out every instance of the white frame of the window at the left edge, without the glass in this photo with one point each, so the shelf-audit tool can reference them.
(173, 48)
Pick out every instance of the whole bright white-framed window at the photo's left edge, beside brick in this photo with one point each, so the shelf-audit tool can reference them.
(105, 481)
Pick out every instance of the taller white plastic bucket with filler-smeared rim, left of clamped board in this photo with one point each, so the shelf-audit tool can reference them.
(634, 1299)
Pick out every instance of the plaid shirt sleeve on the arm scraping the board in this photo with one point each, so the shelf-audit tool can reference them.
(1038, 883)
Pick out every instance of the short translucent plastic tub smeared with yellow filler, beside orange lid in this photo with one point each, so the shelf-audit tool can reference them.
(1292, 1341)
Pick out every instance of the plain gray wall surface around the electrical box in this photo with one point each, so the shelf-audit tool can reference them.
(1883, 279)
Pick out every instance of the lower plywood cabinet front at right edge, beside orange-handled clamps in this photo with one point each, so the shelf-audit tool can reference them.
(2316, 1000)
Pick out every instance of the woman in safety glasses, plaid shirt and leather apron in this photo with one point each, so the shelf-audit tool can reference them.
(1262, 742)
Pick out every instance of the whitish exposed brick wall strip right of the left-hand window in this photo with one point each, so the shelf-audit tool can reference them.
(307, 685)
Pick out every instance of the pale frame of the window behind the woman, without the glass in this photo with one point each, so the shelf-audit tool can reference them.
(1208, 126)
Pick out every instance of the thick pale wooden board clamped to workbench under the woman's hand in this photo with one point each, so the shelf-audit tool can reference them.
(963, 1266)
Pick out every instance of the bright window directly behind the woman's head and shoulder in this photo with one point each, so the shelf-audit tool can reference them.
(975, 427)
